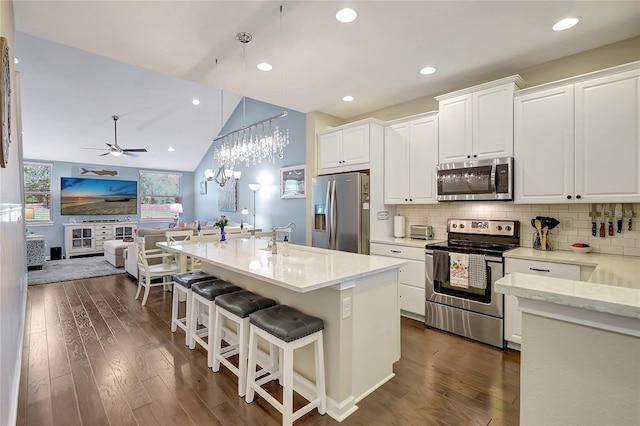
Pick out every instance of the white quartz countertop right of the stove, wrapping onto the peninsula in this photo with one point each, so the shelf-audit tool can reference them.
(613, 286)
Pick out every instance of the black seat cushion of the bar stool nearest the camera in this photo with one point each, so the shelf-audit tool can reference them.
(285, 322)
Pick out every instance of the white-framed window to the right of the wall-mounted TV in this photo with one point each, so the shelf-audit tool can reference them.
(158, 191)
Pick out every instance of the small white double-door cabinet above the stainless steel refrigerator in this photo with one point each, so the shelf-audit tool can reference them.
(345, 148)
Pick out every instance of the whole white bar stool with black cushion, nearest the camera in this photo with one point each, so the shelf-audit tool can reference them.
(289, 329)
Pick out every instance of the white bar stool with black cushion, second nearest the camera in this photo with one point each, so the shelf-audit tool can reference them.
(236, 307)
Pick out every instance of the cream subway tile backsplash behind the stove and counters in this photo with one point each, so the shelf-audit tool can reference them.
(575, 223)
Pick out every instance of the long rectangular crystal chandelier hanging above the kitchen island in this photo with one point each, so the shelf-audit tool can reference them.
(252, 143)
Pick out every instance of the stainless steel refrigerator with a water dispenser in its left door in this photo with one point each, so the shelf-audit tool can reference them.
(340, 208)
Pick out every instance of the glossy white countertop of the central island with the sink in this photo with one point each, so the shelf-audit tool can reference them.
(305, 269)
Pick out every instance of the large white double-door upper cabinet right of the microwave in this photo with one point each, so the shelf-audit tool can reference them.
(579, 140)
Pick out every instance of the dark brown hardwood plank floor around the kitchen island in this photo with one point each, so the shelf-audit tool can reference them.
(93, 356)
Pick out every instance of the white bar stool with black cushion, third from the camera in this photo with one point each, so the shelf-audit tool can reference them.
(205, 293)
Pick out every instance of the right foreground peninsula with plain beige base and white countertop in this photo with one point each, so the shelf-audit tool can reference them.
(580, 360)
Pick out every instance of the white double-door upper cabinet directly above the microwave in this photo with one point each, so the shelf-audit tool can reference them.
(477, 123)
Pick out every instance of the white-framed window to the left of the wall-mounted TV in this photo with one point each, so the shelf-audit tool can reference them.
(37, 192)
